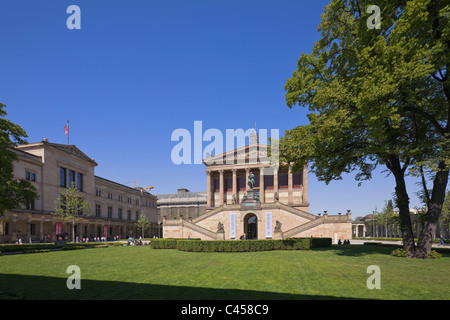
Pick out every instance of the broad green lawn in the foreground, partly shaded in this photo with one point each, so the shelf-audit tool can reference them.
(140, 272)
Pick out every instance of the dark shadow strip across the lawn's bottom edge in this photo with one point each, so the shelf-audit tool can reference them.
(24, 287)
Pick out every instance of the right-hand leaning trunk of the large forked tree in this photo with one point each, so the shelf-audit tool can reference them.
(432, 217)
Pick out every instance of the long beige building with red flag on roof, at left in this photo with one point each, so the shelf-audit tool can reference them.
(52, 168)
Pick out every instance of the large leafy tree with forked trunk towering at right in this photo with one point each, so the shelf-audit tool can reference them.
(377, 96)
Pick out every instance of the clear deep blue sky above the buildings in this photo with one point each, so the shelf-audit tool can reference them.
(138, 70)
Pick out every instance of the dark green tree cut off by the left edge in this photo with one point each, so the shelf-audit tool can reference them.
(13, 192)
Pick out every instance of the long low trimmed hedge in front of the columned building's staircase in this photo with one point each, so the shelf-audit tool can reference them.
(240, 246)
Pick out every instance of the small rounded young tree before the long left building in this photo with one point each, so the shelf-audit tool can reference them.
(72, 207)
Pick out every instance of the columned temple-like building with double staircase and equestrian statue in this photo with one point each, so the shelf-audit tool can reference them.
(248, 198)
